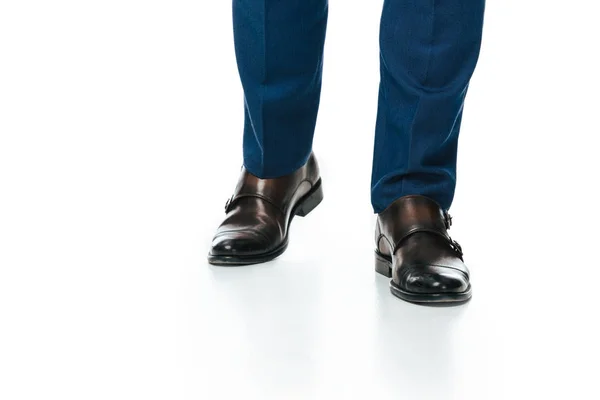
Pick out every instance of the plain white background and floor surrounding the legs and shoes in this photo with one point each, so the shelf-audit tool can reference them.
(120, 140)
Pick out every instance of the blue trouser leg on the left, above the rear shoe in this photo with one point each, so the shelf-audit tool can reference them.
(279, 49)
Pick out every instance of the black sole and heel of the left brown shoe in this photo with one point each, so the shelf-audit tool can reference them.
(308, 203)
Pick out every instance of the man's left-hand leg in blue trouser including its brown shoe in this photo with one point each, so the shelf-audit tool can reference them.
(279, 49)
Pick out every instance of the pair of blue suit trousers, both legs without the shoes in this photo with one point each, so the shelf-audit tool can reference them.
(428, 51)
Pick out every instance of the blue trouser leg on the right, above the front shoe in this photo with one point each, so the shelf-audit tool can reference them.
(429, 49)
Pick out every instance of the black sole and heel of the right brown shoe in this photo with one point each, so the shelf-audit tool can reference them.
(383, 266)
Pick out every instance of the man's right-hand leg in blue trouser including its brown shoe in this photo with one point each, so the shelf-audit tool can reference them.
(429, 49)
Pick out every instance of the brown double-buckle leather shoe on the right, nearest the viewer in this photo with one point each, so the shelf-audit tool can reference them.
(414, 249)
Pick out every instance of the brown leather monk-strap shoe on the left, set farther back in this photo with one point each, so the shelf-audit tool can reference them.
(259, 213)
